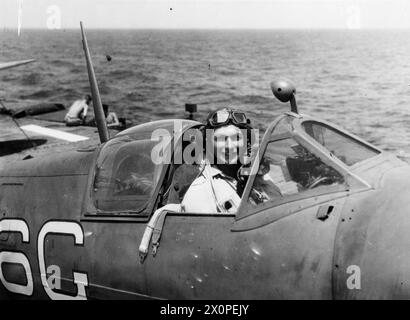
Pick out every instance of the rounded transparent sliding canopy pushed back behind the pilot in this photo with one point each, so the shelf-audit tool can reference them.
(127, 172)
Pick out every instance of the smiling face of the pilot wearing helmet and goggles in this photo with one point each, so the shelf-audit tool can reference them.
(228, 141)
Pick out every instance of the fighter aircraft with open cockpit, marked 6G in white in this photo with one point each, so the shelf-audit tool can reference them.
(336, 227)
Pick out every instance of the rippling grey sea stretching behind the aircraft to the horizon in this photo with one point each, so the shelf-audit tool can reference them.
(357, 79)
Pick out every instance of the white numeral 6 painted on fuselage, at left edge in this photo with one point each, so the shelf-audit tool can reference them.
(15, 225)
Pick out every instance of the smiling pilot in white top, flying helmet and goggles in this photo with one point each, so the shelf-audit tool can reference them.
(217, 184)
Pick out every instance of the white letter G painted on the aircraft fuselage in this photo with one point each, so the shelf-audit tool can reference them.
(80, 279)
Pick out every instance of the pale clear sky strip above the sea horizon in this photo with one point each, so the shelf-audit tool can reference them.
(206, 14)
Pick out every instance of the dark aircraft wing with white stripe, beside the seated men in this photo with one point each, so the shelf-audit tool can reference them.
(40, 134)
